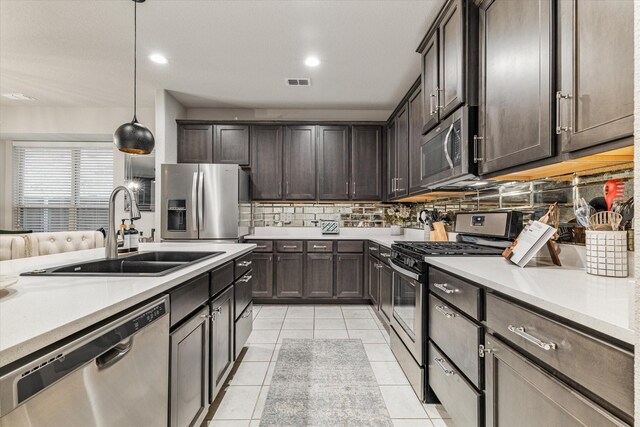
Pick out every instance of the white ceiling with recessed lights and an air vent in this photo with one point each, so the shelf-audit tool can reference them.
(233, 54)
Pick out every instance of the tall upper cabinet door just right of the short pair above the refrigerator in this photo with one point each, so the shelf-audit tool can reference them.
(266, 171)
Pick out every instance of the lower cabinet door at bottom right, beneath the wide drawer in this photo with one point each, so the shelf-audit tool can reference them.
(518, 393)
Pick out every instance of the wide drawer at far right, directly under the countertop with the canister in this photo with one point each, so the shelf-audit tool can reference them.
(596, 365)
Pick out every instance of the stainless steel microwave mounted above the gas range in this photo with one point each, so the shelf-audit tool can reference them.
(446, 152)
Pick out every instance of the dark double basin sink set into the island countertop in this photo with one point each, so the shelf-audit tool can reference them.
(143, 264)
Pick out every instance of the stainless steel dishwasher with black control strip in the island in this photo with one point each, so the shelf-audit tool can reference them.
(114, 375)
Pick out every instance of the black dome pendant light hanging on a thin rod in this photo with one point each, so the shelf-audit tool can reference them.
(134, 137)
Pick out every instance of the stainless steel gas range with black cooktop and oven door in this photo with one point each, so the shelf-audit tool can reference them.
(479, 234)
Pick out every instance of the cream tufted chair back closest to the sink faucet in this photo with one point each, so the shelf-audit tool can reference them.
(62, 241)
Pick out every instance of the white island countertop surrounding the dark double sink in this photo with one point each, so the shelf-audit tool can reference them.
(39, 311)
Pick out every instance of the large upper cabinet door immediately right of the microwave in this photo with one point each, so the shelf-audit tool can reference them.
(515, 106)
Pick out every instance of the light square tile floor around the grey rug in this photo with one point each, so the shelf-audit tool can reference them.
(241, 402)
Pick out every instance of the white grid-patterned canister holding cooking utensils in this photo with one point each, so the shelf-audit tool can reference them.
(606, 253)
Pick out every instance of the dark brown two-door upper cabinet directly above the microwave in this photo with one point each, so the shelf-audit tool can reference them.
(449, 62)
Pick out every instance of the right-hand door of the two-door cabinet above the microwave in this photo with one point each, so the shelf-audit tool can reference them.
(451, 87)
